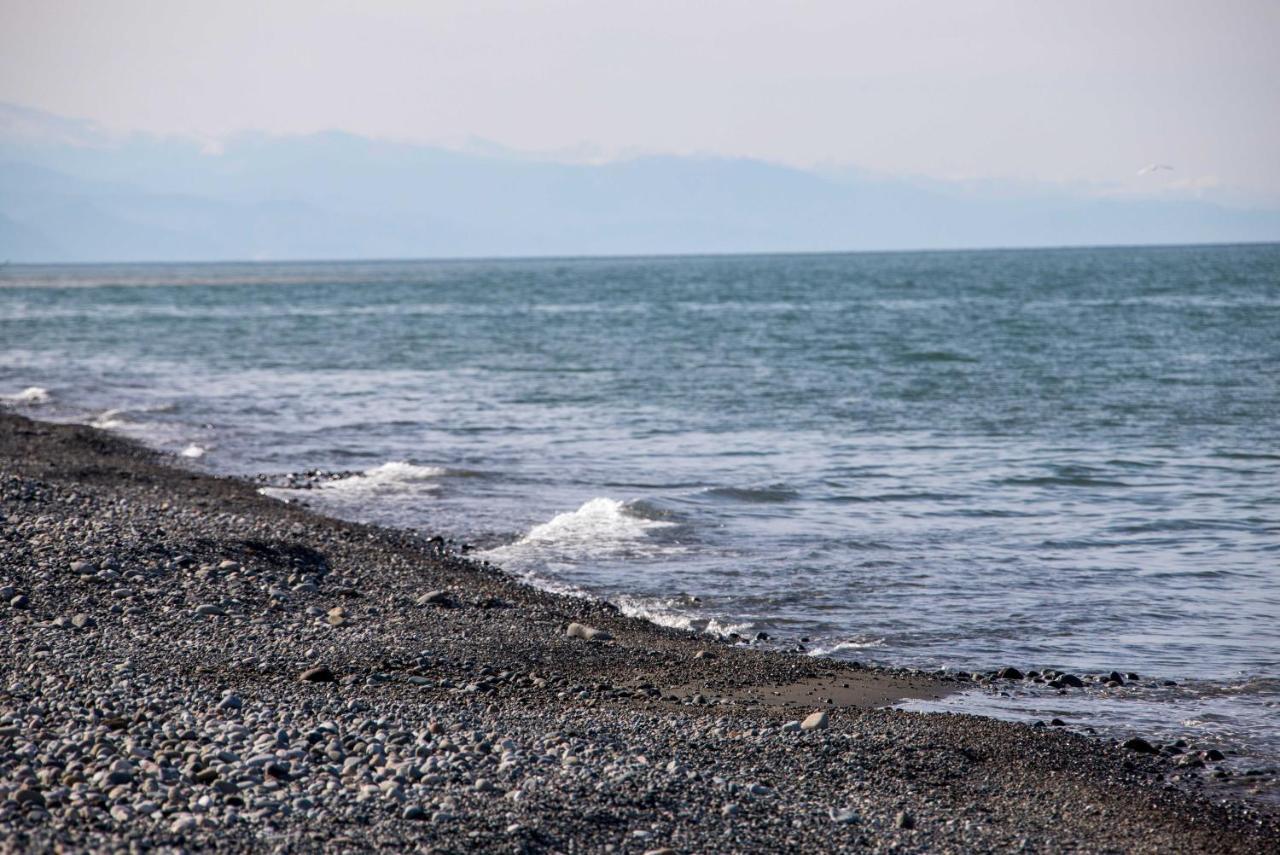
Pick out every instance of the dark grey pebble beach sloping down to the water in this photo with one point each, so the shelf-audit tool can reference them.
(186, 664)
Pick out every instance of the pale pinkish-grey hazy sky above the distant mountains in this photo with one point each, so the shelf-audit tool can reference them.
(1071, 92)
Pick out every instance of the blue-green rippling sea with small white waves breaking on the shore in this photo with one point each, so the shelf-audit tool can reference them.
(1066, 459)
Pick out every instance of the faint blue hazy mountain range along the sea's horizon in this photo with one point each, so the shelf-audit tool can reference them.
(72, 193)
